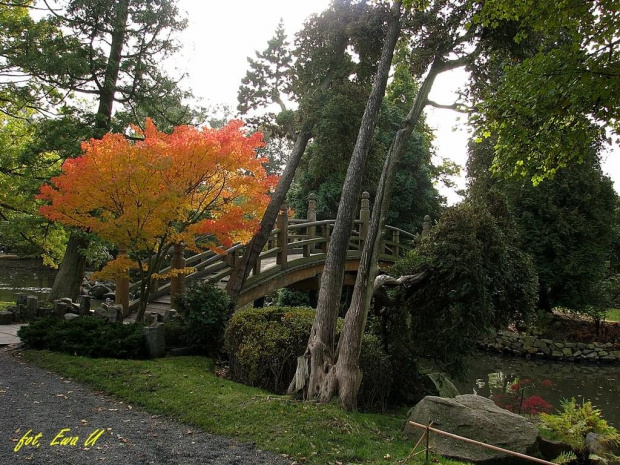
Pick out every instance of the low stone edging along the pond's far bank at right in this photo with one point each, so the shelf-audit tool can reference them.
(532, 346)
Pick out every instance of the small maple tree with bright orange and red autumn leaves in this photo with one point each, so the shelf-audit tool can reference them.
(205, 188)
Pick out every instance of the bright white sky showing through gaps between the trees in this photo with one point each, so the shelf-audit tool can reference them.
(221, 36)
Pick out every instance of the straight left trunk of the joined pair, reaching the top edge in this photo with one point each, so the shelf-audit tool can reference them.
(321, 343)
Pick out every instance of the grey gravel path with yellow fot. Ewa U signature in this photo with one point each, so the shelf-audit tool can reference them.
(37, 400)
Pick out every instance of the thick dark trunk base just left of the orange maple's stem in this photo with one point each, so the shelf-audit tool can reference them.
(71, 271)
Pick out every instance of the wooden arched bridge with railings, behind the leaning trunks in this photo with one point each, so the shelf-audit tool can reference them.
(294, 257)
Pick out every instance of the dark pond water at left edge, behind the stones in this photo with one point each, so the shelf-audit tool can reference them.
(24, 277)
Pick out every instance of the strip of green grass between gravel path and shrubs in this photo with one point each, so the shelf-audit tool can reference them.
(186, 389)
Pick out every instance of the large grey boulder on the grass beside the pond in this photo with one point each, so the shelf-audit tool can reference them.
(477, 418)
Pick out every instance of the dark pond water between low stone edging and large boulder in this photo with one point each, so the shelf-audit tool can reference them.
(492, 375)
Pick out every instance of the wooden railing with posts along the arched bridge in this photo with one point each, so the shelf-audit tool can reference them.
(293, 242)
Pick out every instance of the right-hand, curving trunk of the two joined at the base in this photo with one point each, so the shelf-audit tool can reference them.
(346, 376)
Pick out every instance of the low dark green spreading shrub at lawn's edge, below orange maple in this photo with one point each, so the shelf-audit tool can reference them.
(85, 336)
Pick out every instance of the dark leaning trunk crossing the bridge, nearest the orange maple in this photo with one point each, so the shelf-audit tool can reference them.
(247, 262)
